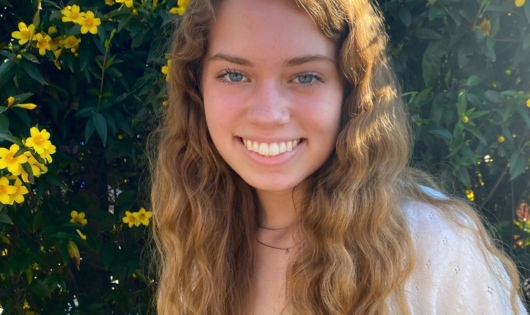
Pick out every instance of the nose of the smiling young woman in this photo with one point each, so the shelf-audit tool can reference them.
(269, 105)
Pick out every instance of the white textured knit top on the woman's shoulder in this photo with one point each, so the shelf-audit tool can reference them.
(453, 273)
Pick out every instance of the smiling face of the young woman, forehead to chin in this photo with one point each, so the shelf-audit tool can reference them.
(272, 93)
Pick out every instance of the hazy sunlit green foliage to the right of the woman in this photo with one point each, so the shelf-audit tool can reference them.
(466, 72)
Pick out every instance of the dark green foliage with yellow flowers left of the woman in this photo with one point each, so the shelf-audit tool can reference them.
(76, 243)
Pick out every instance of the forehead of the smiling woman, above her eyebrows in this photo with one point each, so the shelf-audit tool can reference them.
(256, 29)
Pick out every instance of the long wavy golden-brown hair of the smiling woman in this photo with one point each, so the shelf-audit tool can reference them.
(357, 248)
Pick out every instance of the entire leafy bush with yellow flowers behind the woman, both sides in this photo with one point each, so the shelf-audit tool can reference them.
(81, 82)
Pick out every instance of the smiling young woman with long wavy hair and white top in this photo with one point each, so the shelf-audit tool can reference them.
(281, 182)
